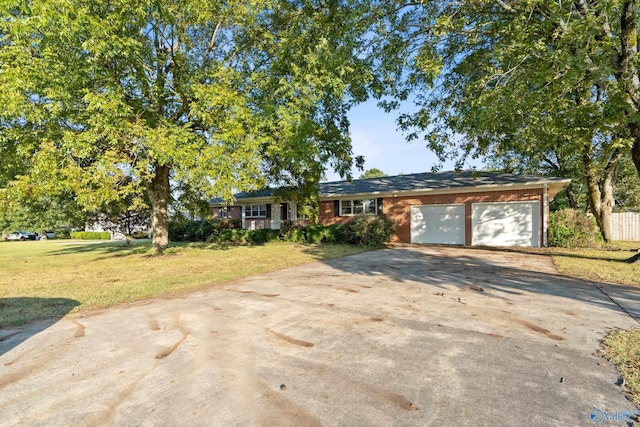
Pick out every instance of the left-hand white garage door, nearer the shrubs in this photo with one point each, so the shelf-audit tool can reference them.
(442, 224)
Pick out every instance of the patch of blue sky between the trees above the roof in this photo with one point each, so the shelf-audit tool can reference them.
(375, 136)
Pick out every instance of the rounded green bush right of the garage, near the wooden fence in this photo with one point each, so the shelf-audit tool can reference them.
(573, 228)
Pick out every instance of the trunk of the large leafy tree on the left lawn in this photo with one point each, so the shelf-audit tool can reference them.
(158, 191)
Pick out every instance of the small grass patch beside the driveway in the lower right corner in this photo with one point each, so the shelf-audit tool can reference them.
(622, 348)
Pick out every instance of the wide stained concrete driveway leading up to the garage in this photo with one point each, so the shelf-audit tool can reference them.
(405, 336)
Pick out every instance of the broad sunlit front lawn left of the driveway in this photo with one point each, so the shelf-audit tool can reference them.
(48, 279)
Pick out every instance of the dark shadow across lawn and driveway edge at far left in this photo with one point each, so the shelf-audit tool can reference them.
(37, 313)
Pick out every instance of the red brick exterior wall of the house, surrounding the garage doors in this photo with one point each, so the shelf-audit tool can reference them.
(399, 208)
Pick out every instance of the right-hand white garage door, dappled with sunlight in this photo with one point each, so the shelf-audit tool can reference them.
(506, 224)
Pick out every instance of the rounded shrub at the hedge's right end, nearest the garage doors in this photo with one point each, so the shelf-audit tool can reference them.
(368, 230)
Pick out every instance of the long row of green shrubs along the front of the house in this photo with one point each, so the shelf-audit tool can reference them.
(365, 230)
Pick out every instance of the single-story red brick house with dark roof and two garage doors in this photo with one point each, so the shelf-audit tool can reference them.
(463, 208)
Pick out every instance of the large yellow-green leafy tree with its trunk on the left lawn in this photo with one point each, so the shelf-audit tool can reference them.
(106, 99)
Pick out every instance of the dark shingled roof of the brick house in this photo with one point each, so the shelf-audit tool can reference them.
(428, 181)
